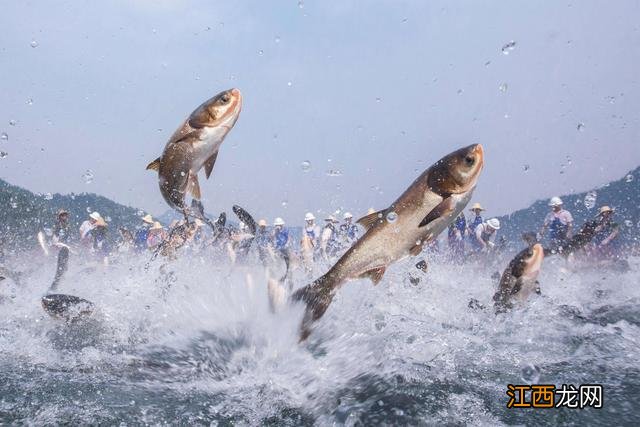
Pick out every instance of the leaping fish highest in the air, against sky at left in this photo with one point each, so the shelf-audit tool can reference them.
(195, 145)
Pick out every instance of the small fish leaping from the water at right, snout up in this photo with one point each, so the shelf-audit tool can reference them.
(519, 279)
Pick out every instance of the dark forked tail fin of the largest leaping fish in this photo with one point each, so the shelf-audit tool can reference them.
(317, 296)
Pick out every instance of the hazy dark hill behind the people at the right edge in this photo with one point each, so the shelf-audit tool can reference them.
(623, 195)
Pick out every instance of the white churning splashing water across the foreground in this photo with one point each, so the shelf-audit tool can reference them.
(193, 343)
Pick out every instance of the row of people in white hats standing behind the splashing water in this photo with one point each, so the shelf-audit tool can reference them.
(468, 238)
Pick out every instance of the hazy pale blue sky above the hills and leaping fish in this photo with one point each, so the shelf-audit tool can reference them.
(370, 93)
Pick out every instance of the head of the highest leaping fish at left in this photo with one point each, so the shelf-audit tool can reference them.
(221, 110)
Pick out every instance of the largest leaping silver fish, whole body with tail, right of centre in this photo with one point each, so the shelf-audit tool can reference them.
(422, 212)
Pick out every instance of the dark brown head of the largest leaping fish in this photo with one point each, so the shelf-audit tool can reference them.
(457, 172)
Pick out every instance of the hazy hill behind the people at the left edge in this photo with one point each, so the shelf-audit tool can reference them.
(23, 213)
